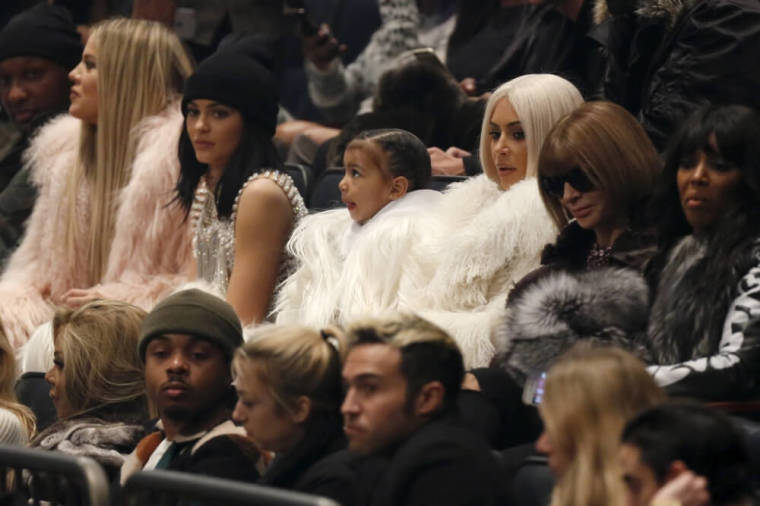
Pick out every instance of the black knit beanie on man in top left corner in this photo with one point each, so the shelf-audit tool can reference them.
(44, 30)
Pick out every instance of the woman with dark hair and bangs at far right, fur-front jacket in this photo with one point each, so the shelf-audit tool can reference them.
(704, 325)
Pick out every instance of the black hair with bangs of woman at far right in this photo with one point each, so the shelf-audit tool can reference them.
(737, 133)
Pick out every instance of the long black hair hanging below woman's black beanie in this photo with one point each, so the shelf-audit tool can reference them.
(255, 152)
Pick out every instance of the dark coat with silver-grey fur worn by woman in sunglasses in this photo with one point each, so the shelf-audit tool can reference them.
(563, 302)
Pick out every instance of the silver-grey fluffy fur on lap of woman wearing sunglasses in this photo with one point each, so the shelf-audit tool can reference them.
(607, 305)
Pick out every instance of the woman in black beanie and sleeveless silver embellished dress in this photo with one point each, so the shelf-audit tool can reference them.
(242, 206)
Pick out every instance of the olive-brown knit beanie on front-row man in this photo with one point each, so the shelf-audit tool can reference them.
(195, 313)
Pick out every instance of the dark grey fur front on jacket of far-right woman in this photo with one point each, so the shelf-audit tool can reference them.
(694, 293)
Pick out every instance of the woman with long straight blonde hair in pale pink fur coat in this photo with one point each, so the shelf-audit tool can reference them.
(102, 226)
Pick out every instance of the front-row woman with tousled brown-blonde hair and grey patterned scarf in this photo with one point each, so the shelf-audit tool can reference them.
(97, 383)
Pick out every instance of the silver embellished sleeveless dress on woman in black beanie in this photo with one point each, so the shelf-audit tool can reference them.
(214, 237)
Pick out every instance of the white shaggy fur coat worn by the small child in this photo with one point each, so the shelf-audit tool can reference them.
(345, 271)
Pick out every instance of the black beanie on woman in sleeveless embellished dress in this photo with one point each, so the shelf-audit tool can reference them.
(237, 80)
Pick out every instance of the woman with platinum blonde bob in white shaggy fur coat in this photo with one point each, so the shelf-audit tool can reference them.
(488, 231)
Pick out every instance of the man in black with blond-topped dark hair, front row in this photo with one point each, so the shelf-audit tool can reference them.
(403, 375)
